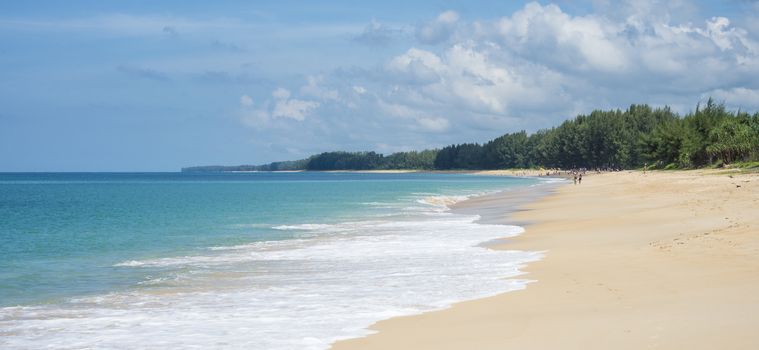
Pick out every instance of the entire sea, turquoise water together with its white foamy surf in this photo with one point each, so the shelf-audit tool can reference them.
(238, 260)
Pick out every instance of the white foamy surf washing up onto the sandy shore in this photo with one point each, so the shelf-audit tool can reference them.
(288, 294)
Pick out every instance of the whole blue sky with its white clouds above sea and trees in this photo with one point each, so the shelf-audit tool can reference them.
(156, 86)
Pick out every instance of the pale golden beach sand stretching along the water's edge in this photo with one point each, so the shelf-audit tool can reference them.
(664, 260)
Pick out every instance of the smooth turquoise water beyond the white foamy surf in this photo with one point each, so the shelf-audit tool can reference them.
(62, 234)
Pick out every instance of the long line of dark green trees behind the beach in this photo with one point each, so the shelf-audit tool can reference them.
(641, 135)
